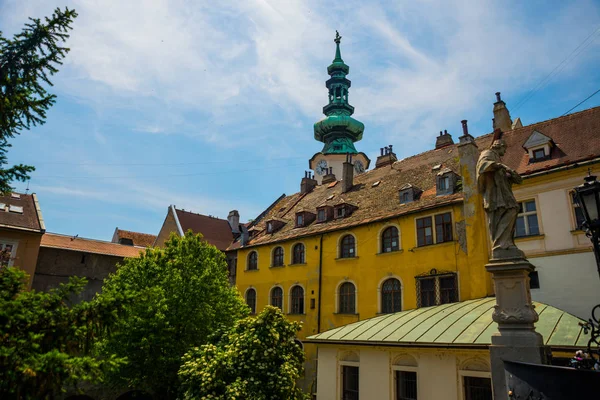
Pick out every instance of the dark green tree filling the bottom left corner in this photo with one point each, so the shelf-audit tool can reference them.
(45, 341)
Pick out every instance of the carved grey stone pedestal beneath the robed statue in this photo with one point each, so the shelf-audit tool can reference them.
(516, 339)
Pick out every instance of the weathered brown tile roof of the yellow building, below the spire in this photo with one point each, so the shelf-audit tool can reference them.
(373, 202)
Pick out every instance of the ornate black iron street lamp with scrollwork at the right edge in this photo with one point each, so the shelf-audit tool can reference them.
(587, 196)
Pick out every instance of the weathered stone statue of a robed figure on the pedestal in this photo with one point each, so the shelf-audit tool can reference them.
(495, 180)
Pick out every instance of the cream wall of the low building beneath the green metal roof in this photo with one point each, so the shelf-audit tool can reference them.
(439, 372)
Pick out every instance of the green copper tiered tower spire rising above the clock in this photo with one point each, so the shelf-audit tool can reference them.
(338, 130)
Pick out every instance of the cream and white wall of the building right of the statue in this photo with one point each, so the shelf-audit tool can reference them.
(561, 254)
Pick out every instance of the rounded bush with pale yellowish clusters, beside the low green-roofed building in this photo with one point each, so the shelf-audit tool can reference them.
(258, 359)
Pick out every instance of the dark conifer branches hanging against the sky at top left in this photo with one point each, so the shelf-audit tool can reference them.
(26, 63)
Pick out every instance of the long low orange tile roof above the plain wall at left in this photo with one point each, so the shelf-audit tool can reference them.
(54, 240)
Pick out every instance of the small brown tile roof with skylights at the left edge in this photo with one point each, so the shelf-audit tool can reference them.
(30, 219)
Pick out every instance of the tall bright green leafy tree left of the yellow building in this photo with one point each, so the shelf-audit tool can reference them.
(182, 297)
